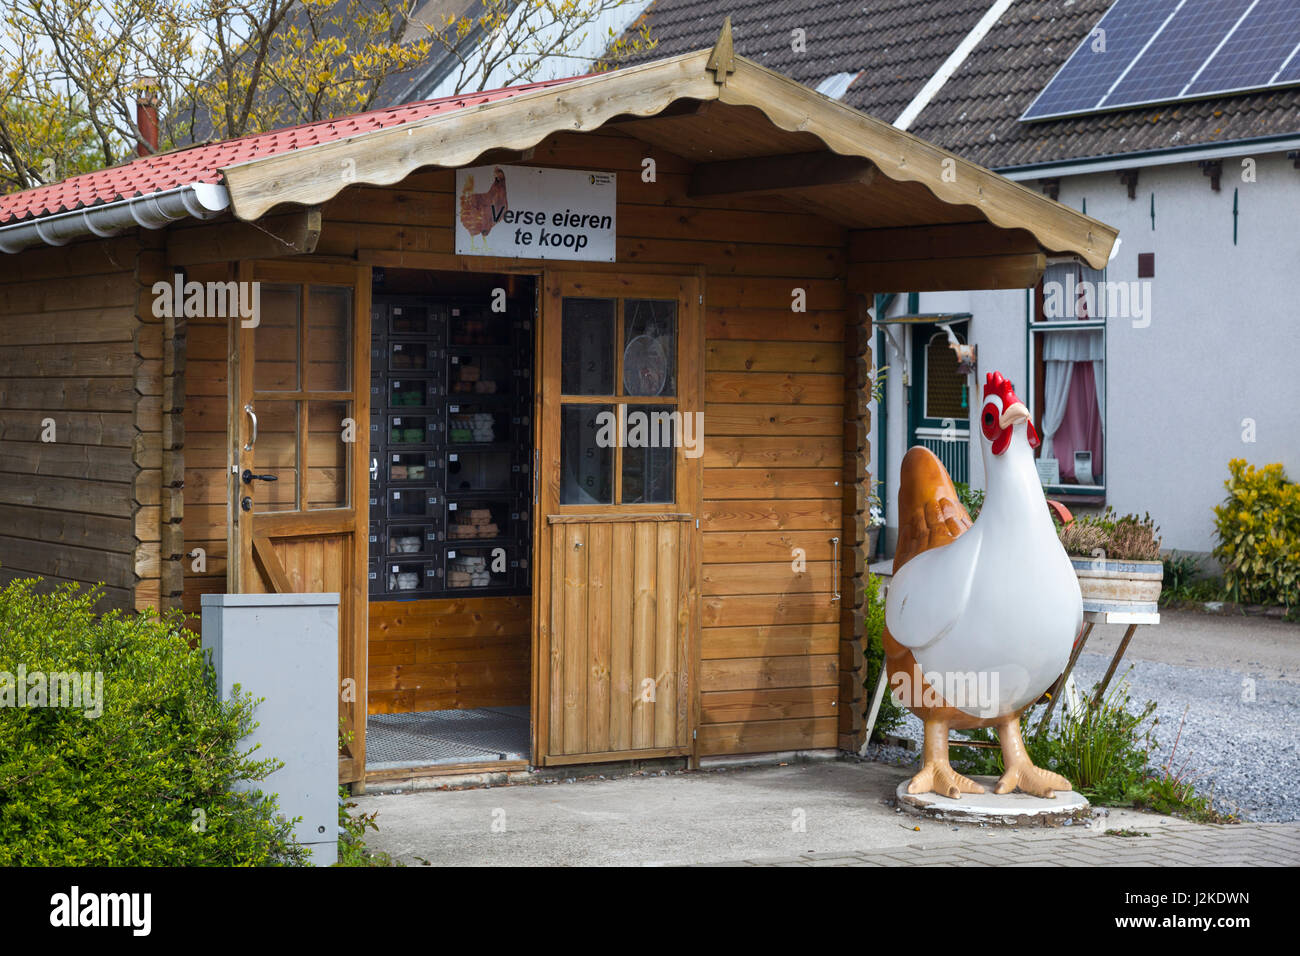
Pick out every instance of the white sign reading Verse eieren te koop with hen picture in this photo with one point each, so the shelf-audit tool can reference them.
(528, 213)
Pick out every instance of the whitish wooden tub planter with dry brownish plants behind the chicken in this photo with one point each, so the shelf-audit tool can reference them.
(1117, 560)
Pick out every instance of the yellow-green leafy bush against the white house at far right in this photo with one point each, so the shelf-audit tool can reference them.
(1259, 535)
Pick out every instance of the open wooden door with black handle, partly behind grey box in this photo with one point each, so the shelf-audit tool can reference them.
(301, 439)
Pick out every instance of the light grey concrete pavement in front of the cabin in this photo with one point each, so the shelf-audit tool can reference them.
(835, 810)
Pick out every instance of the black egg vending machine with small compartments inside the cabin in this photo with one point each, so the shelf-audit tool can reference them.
(450, 448)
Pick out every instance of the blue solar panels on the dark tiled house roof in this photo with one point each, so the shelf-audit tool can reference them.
(1159, 51)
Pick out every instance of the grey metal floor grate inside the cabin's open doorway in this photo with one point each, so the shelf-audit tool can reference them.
(430, 738)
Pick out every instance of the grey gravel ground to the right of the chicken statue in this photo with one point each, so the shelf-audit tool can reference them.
(1243, 752)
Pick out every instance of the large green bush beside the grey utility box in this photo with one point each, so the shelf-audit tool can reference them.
(146, 782)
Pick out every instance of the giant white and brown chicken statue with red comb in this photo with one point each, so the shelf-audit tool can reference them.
(981, 618)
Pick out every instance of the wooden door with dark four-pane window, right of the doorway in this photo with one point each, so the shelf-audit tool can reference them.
(617, 550)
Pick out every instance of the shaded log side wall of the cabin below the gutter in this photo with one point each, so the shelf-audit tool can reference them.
(81, 421)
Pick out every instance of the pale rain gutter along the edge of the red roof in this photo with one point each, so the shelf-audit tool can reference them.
(153, 211)
